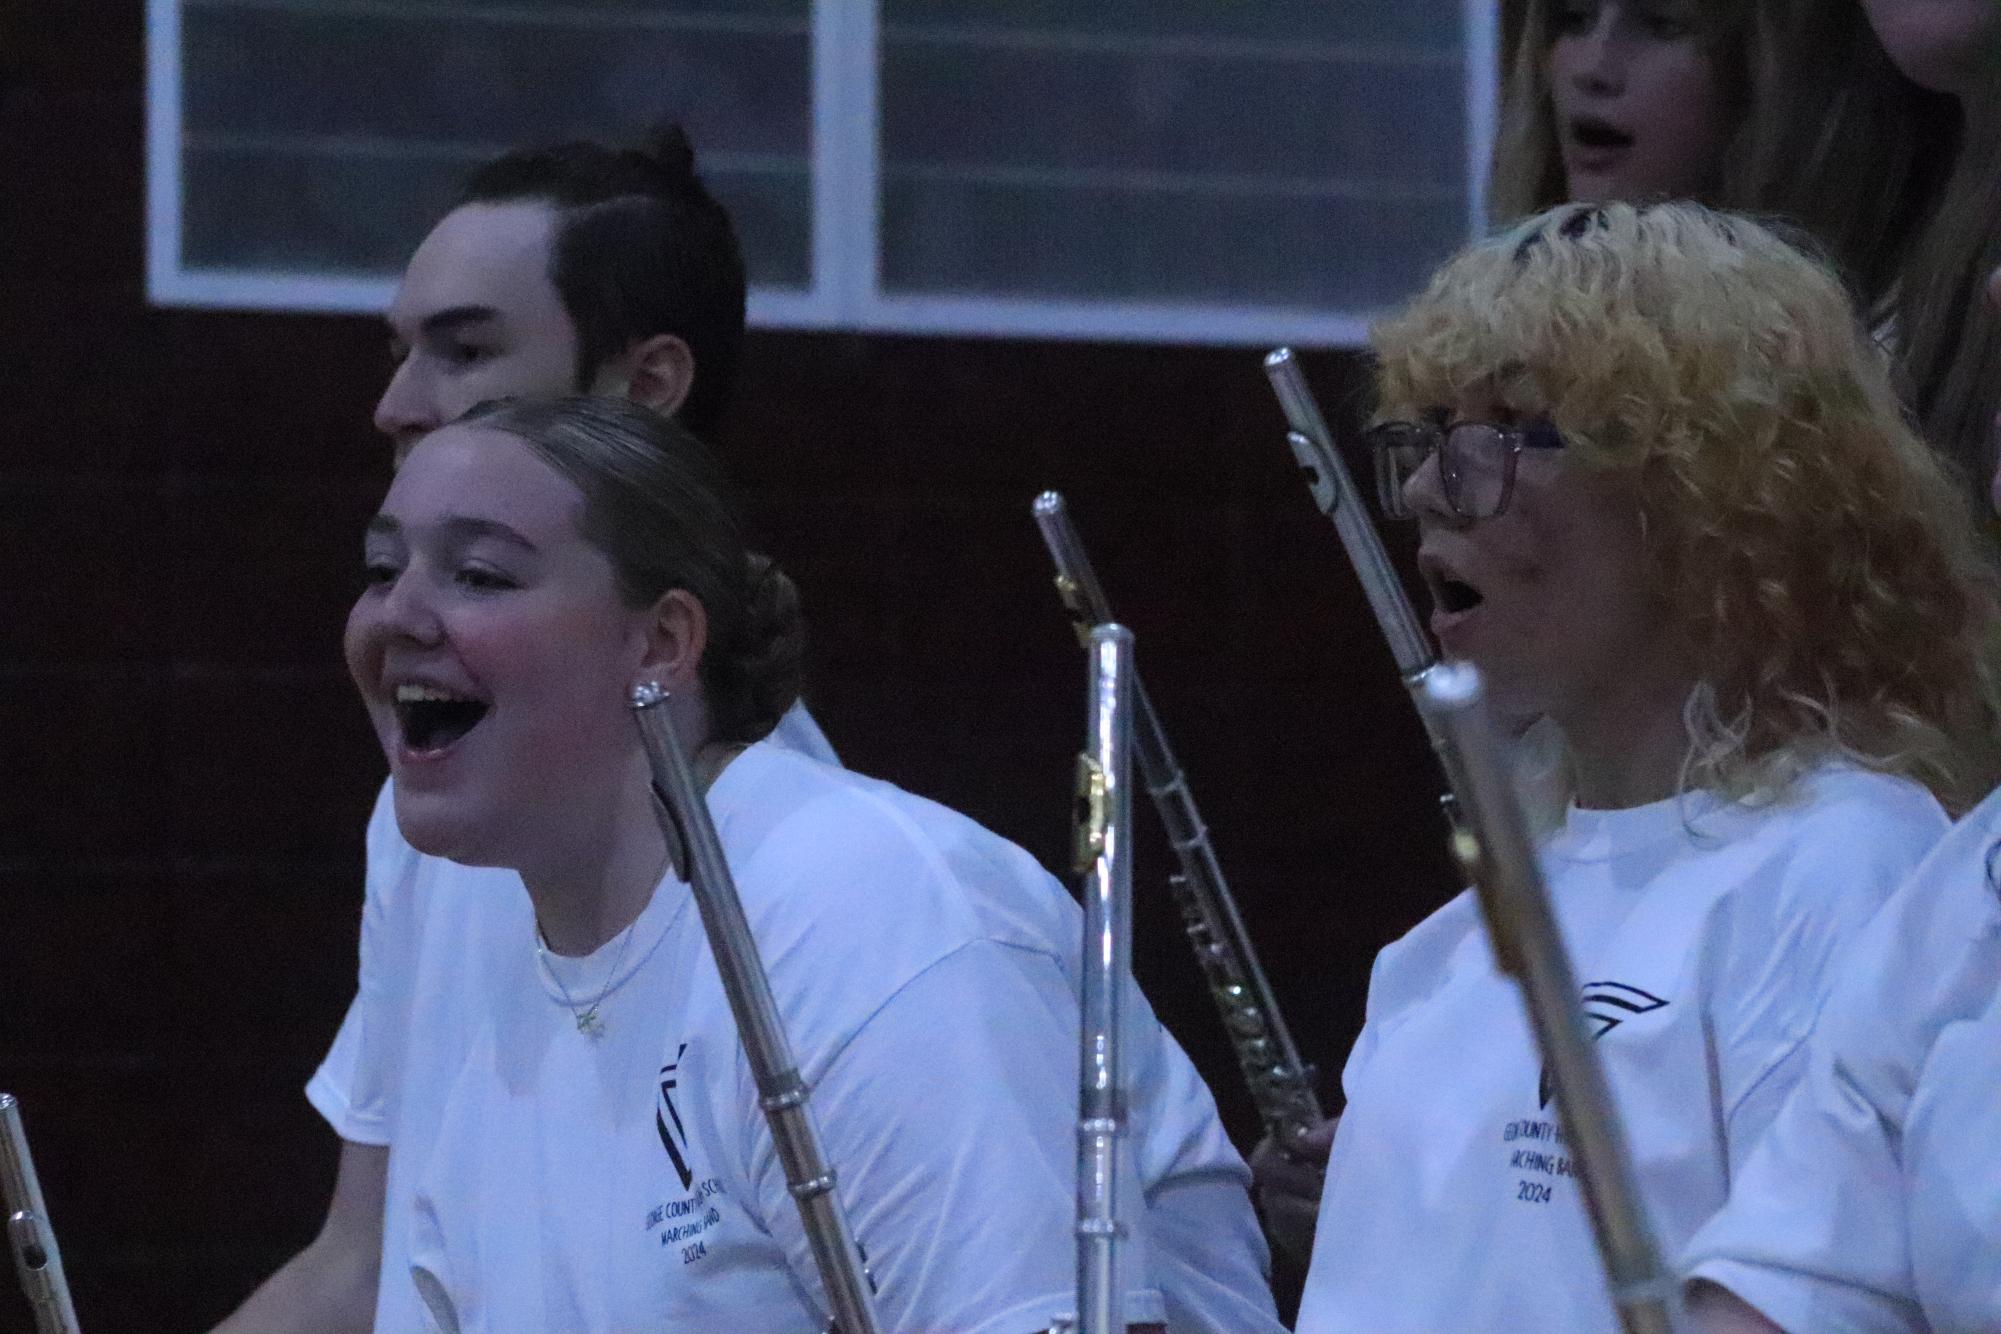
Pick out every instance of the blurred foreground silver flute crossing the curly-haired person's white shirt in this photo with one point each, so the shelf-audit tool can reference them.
(1496, 853)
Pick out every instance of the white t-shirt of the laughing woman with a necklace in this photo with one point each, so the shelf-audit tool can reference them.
(877, 877)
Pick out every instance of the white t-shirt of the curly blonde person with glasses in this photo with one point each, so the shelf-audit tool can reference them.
(1702, 935)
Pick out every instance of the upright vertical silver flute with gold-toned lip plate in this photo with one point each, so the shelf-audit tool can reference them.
(1106, 865)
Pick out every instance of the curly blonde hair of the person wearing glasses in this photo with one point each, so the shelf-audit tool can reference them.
(1818, 559)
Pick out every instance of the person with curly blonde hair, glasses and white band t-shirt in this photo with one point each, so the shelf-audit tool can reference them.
(1670, 507)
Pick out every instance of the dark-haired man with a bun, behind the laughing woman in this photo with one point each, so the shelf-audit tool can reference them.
(557, 269)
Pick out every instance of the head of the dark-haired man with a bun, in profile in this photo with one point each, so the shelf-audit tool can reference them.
(571, 269)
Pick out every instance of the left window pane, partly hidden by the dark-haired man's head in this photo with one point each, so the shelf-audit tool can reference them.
(325, 135)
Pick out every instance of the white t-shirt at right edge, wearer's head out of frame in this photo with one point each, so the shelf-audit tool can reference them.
(1874, 1201)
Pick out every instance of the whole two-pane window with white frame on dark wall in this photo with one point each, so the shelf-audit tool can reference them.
(1130, 169)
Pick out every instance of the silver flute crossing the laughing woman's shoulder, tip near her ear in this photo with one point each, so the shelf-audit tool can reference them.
(691, 839)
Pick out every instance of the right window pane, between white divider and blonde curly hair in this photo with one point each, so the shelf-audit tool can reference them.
(1286, 153)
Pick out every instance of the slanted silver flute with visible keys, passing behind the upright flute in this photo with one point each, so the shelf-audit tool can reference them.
(1280, 1081)
